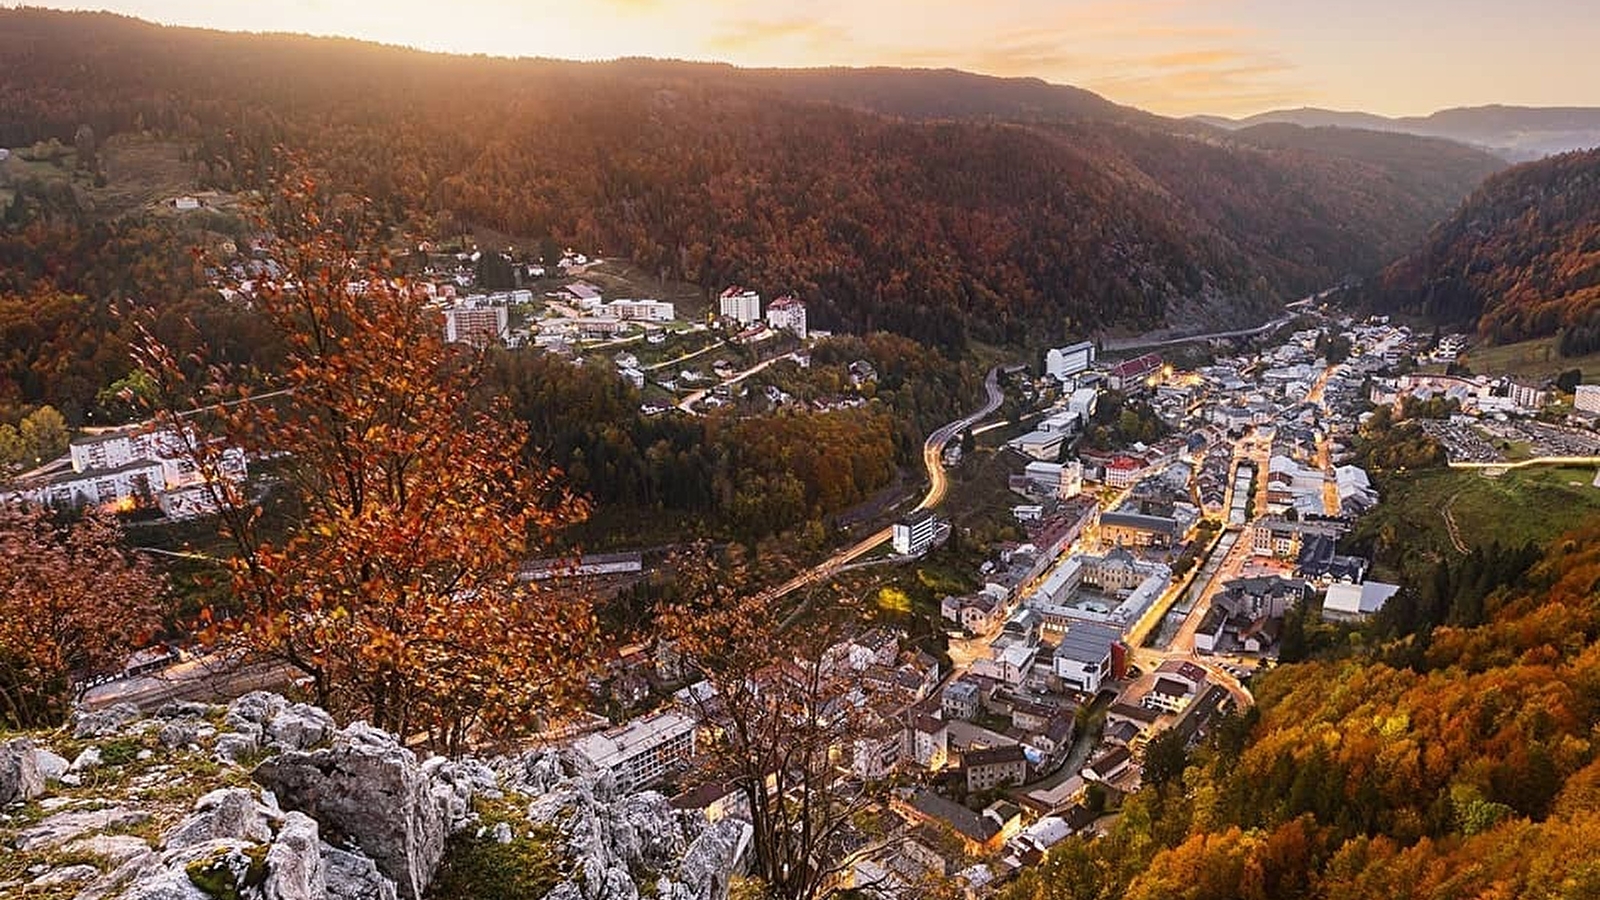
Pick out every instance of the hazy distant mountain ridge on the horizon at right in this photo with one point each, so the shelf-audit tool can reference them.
(1518, 134)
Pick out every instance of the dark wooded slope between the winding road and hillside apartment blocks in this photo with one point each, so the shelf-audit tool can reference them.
(735, 476)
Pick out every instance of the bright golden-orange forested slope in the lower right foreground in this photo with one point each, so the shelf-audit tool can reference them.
(1455, 760)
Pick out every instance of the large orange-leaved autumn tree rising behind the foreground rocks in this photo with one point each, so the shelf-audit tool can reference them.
(396, 595)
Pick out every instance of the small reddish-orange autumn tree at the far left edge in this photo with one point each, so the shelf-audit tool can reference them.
(73, 601)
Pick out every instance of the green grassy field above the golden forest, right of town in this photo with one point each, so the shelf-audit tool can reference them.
(1412, 528)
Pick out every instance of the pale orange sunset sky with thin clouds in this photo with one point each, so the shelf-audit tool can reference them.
(1172, 57)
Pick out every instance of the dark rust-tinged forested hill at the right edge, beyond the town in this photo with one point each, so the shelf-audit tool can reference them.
(1519, 260)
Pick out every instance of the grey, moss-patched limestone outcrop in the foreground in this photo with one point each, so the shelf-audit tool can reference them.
(326, 814)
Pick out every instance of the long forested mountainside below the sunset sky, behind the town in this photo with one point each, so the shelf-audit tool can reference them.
(943, 231)
